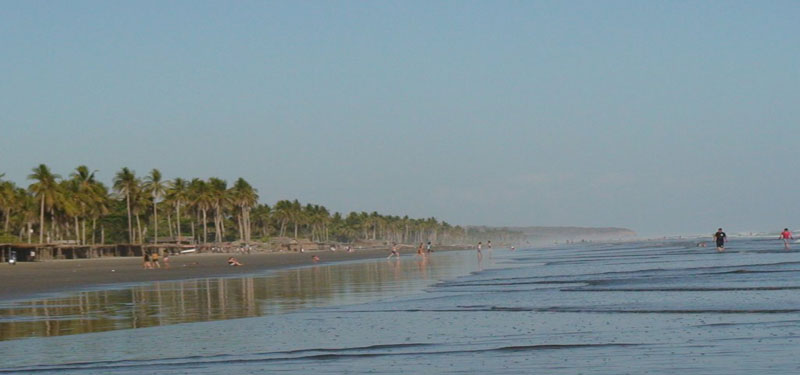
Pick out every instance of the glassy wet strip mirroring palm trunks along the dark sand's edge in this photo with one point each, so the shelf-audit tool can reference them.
(163, 303)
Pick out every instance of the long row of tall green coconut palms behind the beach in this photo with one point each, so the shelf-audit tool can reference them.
(137, 210)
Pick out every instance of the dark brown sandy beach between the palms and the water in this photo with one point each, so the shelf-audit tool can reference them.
(27, 280)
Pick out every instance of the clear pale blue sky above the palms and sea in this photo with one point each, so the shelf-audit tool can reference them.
(666, 117)
